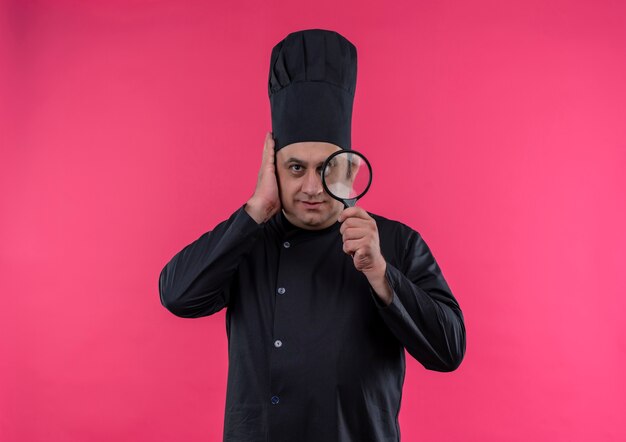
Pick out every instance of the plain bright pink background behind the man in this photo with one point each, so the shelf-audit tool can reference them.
(129, 128)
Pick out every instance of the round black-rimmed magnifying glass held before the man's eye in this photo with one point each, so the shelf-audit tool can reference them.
(346, 176)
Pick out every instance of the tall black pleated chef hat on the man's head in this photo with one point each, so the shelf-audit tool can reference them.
(311, 88)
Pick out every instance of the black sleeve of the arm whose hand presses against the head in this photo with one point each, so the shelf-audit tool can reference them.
(196, 281)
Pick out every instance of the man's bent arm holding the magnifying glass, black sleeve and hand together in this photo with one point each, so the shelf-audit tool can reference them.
(414, 301)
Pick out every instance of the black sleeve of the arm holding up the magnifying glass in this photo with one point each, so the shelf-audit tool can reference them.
(423, 314)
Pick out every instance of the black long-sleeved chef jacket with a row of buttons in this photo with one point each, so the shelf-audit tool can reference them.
(313, 354)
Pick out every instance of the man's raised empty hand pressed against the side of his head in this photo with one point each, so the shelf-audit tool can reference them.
(266, 201)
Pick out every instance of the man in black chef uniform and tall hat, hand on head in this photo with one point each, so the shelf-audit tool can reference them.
(321, 301)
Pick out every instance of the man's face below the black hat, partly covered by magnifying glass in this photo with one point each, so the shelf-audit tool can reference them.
(302, 196)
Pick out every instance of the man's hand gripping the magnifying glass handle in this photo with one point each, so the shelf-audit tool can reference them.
(361, 241)
